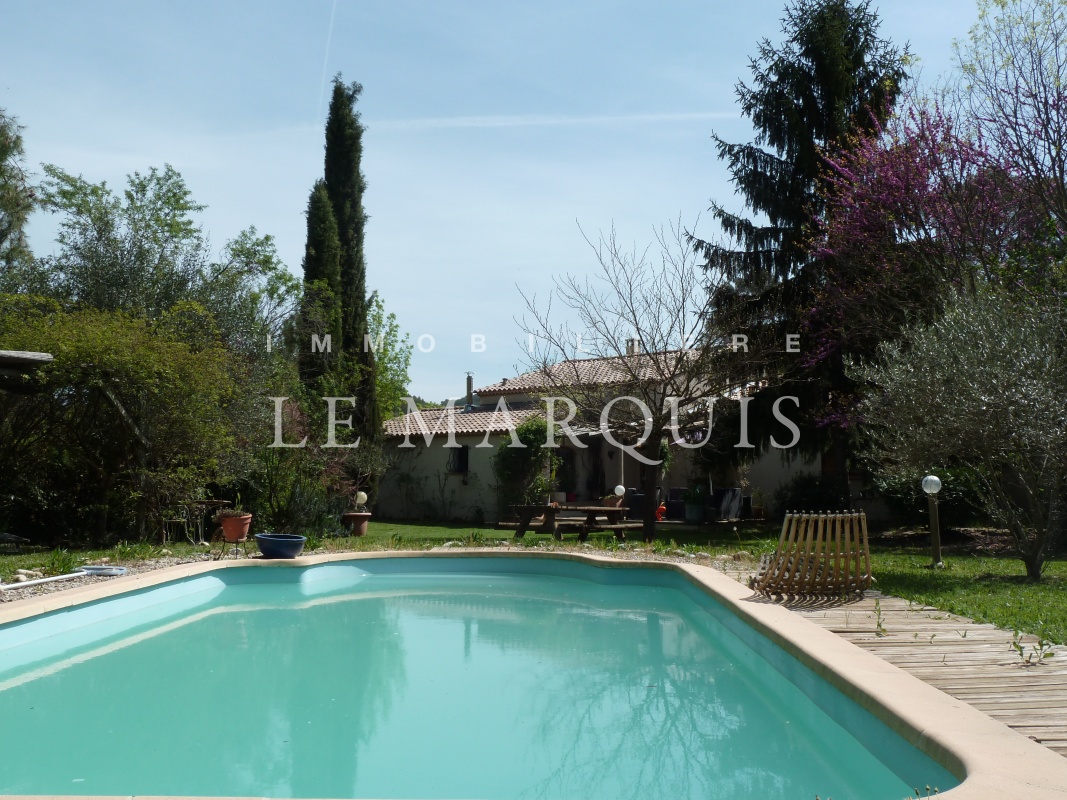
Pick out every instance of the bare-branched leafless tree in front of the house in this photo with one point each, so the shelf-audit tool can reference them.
(644, 356)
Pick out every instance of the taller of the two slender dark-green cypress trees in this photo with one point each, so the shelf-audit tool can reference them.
(345, 186)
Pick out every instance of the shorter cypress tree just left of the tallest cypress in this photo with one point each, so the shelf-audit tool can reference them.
(322, 311)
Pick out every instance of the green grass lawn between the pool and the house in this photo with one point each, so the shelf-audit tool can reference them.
(983, 586)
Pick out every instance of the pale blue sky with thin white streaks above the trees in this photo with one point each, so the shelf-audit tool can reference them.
(497, 134)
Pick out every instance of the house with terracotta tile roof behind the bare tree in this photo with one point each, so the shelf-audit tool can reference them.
(453, 479)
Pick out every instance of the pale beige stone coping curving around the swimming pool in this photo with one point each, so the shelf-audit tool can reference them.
(993, 761)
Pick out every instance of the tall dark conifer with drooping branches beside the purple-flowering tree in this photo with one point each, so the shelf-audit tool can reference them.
(831, 78)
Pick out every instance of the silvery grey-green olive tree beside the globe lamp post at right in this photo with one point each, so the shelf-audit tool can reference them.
(982, 390)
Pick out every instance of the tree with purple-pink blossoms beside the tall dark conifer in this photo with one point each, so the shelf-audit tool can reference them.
(917, 212)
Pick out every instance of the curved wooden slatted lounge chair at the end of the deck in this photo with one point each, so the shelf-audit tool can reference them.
(822, 555)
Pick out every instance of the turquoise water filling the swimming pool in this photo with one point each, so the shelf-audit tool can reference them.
(424, 678)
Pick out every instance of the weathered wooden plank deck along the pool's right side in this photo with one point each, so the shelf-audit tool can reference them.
(972, 662)
